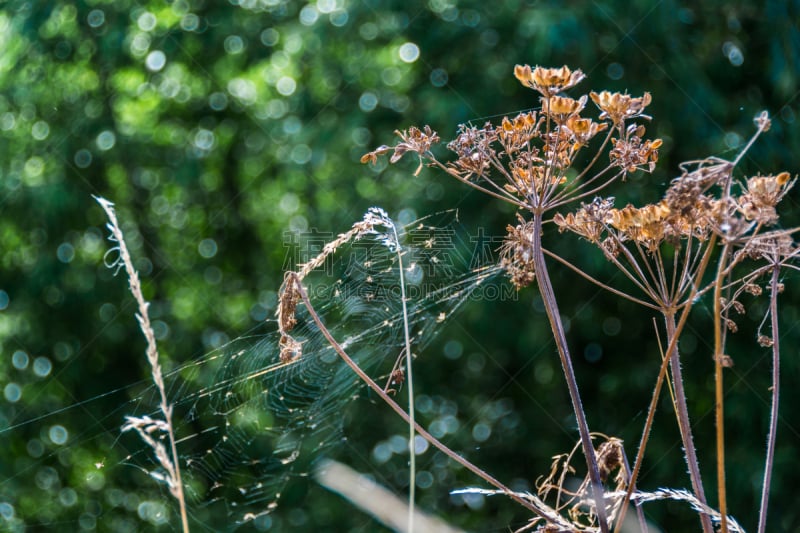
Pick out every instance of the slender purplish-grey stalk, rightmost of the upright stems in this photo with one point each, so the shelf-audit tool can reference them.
(773, 419)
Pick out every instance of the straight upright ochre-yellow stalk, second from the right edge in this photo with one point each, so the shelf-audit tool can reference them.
(718, 391)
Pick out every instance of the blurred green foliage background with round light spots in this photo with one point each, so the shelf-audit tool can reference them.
(218, 127)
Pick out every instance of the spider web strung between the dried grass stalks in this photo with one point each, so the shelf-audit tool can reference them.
(247, 422)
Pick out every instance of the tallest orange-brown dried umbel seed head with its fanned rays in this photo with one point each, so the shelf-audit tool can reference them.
(529, 159)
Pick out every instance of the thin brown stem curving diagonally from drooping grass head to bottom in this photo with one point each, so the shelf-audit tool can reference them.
(377, 389)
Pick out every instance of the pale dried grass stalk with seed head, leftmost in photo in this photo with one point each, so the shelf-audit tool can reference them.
(146, 426)
